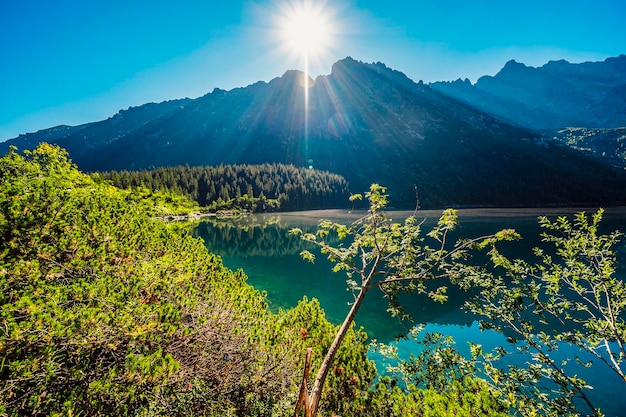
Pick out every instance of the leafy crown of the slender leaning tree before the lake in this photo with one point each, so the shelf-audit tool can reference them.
(395, 257)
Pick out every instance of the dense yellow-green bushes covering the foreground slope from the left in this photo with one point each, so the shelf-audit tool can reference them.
(107, 311)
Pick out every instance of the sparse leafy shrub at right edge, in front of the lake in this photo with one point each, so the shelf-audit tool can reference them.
(571, 298)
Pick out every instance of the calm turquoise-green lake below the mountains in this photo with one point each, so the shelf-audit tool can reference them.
(261, 246)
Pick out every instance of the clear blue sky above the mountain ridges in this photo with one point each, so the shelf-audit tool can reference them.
(75, 61)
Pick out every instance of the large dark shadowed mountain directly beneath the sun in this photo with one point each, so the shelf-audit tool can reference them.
(364, 121)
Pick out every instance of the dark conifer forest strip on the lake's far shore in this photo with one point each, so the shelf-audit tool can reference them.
(248, 188)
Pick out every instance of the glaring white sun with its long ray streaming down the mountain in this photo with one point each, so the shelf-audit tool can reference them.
(306, 35)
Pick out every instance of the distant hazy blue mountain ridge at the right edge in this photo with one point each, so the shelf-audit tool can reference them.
(556, 95)
